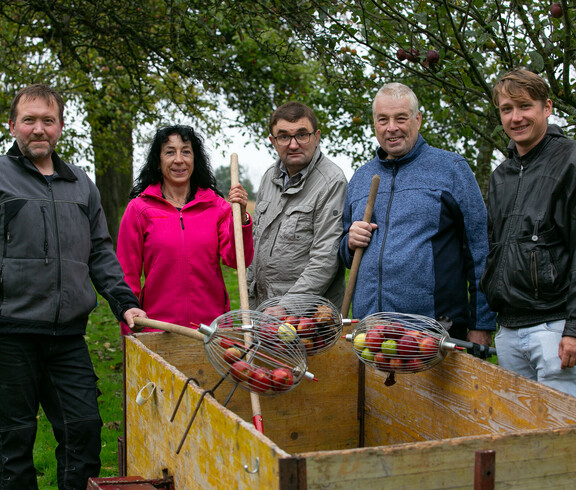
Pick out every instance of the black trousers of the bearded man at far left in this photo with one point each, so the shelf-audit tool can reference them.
(57, 373)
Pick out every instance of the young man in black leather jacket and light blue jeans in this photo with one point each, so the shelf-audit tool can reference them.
(530, 274)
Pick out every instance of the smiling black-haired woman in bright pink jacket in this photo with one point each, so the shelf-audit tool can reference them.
(177, 230)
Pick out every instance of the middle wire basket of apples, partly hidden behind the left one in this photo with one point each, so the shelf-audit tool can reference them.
(316, 320)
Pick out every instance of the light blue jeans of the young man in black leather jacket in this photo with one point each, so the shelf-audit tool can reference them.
(533, 352)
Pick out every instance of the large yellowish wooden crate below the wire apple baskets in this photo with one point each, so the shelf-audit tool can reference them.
(423, 432)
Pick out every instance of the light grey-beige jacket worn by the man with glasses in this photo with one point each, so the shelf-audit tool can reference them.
(297, 233)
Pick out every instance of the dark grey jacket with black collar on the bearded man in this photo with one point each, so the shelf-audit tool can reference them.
(55, 249)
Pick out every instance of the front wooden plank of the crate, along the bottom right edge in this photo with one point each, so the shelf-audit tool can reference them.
(527, 460)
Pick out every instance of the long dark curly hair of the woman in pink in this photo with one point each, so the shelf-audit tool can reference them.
(202, 177)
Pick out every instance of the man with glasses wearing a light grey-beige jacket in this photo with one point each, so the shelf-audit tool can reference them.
(298, 215)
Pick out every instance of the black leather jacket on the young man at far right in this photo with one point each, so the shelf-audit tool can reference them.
(530, 272)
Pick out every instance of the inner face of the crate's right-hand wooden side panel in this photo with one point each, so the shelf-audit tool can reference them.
(461, 396)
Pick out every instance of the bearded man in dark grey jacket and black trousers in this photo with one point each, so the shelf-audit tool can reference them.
(54, 250)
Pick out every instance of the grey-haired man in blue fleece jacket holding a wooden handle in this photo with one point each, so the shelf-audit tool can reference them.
(426, 246)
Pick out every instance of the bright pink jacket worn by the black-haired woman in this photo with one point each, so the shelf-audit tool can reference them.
(179, 252)
